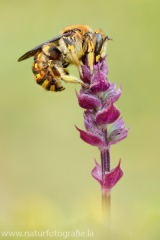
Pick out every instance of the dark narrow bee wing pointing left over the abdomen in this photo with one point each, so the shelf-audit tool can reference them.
(33, 51)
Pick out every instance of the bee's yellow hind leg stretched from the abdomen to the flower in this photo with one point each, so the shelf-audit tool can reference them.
(60, 73)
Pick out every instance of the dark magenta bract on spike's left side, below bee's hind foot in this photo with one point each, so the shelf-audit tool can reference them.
(88, 101)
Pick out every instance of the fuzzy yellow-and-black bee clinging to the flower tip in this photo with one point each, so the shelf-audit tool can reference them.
(52, 57)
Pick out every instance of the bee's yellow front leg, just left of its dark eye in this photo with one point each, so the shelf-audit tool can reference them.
(89, 47)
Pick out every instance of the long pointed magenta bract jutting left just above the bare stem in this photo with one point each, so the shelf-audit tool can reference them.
(91, 139)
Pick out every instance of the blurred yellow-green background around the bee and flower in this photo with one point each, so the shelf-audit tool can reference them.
(45, 180)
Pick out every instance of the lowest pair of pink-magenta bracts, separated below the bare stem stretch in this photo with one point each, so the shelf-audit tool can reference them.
(110, 179)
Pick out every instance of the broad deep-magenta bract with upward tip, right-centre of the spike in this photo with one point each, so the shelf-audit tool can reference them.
(108, 115)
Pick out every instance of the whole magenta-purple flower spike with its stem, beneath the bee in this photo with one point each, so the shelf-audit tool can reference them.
(98, 100)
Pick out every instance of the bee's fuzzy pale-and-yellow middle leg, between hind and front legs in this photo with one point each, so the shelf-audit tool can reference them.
(70, 54)
